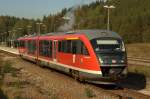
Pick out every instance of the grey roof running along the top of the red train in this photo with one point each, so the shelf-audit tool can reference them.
(91, 34)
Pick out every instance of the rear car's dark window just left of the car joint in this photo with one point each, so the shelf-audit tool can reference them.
(31, 46)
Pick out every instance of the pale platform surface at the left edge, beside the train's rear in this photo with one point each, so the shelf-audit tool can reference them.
(10, 50)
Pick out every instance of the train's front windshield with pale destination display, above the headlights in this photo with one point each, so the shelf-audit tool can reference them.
(102, 45)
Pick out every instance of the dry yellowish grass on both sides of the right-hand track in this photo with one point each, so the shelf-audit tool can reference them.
(139, 50)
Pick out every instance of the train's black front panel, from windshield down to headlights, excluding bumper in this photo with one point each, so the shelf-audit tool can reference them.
(109, 51)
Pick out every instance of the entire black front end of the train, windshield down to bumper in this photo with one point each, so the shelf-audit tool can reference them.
(111, 54)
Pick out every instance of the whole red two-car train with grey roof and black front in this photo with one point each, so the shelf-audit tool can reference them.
(92, 55)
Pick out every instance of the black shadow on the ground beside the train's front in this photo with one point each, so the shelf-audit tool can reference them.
(134, 81)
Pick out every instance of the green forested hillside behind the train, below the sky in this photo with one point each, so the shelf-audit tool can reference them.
(129, 18)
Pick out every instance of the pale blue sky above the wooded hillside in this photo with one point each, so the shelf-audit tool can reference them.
(36, 8)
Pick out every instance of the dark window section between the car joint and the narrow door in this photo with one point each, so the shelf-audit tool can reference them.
(45, 48)
